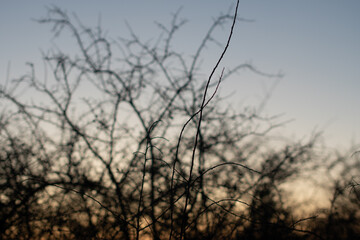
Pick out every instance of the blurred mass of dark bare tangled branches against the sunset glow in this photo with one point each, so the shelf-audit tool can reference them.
(124, 139)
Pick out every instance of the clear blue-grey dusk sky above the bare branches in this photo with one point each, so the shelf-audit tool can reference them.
(315, 44)
